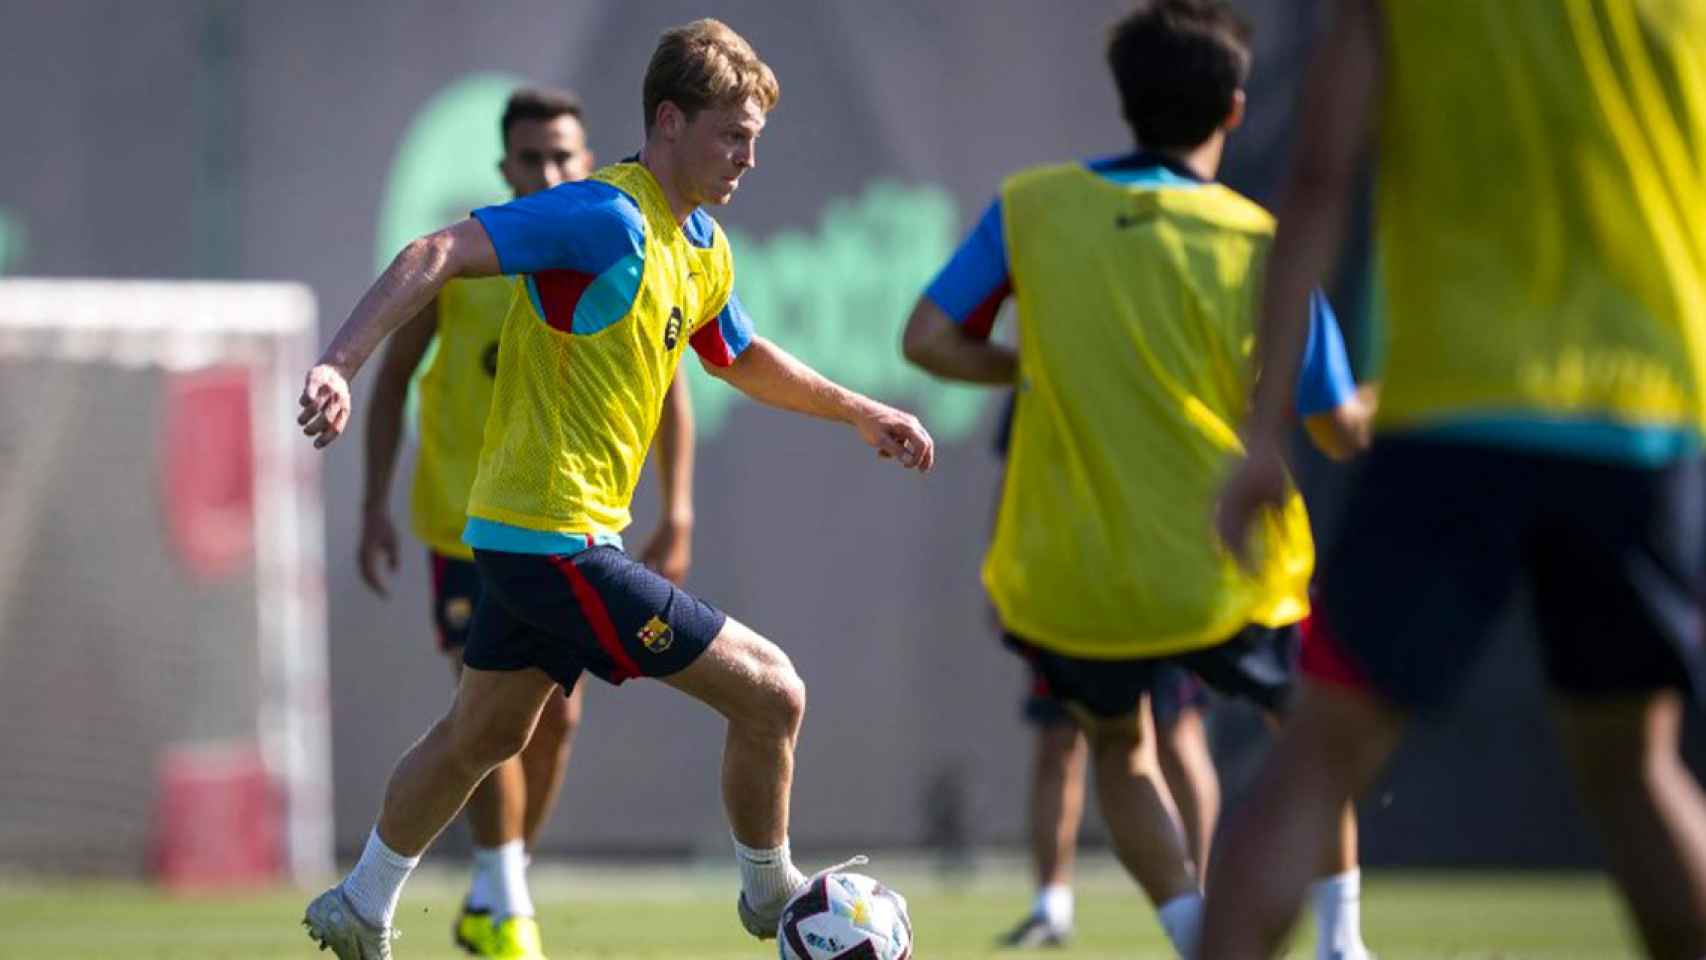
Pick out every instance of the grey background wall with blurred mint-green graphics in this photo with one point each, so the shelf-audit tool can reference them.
(308, 141)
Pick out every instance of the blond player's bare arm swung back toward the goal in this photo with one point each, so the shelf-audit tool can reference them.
(400, 294)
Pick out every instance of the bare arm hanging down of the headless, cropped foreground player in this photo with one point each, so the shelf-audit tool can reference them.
(1338, 115)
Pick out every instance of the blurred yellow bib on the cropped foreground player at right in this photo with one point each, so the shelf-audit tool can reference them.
(1543, 211)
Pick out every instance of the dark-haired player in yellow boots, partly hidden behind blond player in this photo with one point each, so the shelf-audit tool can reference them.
(545, 146)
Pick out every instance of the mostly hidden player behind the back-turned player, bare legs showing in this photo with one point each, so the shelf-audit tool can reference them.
(1180, 705)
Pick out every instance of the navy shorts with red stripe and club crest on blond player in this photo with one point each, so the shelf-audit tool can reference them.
(598, 611)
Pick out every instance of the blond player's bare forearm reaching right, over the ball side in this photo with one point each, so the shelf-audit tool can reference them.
(772, 376)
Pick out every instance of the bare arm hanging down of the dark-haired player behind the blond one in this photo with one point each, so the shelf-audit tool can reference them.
(378, 552)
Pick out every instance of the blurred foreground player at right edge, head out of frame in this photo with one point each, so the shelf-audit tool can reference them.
(1543, 245)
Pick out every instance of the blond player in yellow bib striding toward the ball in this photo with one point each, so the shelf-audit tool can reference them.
(622, 274)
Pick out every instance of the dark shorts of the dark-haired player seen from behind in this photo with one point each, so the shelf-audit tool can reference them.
(1256, 666)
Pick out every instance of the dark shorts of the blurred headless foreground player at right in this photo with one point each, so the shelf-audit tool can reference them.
(1439, 536)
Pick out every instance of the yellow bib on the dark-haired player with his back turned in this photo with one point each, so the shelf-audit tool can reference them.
(1135, 332)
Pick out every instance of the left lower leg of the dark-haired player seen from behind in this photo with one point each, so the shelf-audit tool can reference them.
(1140, 821)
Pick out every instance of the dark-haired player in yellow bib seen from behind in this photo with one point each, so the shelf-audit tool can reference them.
(1135, 280)
